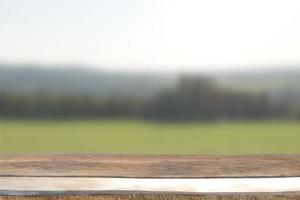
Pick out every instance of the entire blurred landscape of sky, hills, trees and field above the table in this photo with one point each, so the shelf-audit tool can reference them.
(150, 77)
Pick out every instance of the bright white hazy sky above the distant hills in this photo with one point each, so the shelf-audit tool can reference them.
(151, 34)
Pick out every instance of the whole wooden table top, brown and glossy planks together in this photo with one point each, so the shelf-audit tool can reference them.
(114, 177)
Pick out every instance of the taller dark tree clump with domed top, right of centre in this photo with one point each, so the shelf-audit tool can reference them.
(198, 98)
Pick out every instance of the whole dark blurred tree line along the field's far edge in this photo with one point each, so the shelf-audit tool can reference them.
(194, 98)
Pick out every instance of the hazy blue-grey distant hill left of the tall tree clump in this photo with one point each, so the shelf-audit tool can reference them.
(81, 81)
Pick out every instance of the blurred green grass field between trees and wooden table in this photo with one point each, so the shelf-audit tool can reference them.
(131, 136)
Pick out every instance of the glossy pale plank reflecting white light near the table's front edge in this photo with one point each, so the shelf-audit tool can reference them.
(65, 185)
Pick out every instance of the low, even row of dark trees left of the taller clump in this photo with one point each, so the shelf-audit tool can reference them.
(41, 105)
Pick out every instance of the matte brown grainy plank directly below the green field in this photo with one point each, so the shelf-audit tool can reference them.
(149, 166)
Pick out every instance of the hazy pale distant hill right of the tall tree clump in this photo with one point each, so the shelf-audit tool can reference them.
(282, 84)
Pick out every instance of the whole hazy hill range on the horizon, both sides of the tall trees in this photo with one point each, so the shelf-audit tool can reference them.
(282, 84)
